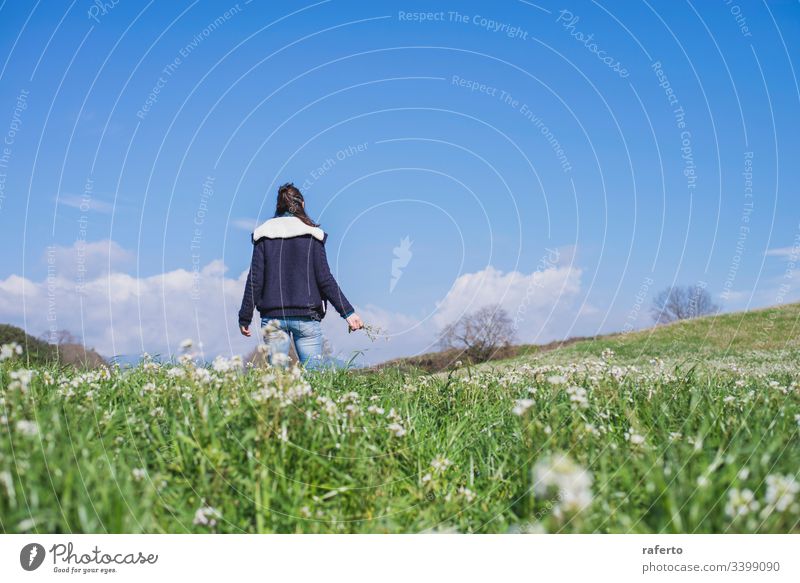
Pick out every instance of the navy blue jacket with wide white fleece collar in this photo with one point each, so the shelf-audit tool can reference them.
(289, 273)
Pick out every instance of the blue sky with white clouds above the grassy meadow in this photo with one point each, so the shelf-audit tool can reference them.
(146, 139)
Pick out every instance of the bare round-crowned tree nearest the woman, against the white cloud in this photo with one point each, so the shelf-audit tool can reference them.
(479, 333)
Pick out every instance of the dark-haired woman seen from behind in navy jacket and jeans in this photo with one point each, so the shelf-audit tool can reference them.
(290, 282)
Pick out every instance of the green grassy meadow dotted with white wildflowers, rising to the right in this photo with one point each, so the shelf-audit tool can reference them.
(685, 428)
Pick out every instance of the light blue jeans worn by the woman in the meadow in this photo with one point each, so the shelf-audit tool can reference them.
(305, 332)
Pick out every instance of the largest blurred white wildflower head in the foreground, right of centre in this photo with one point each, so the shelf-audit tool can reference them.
(571, 481)
